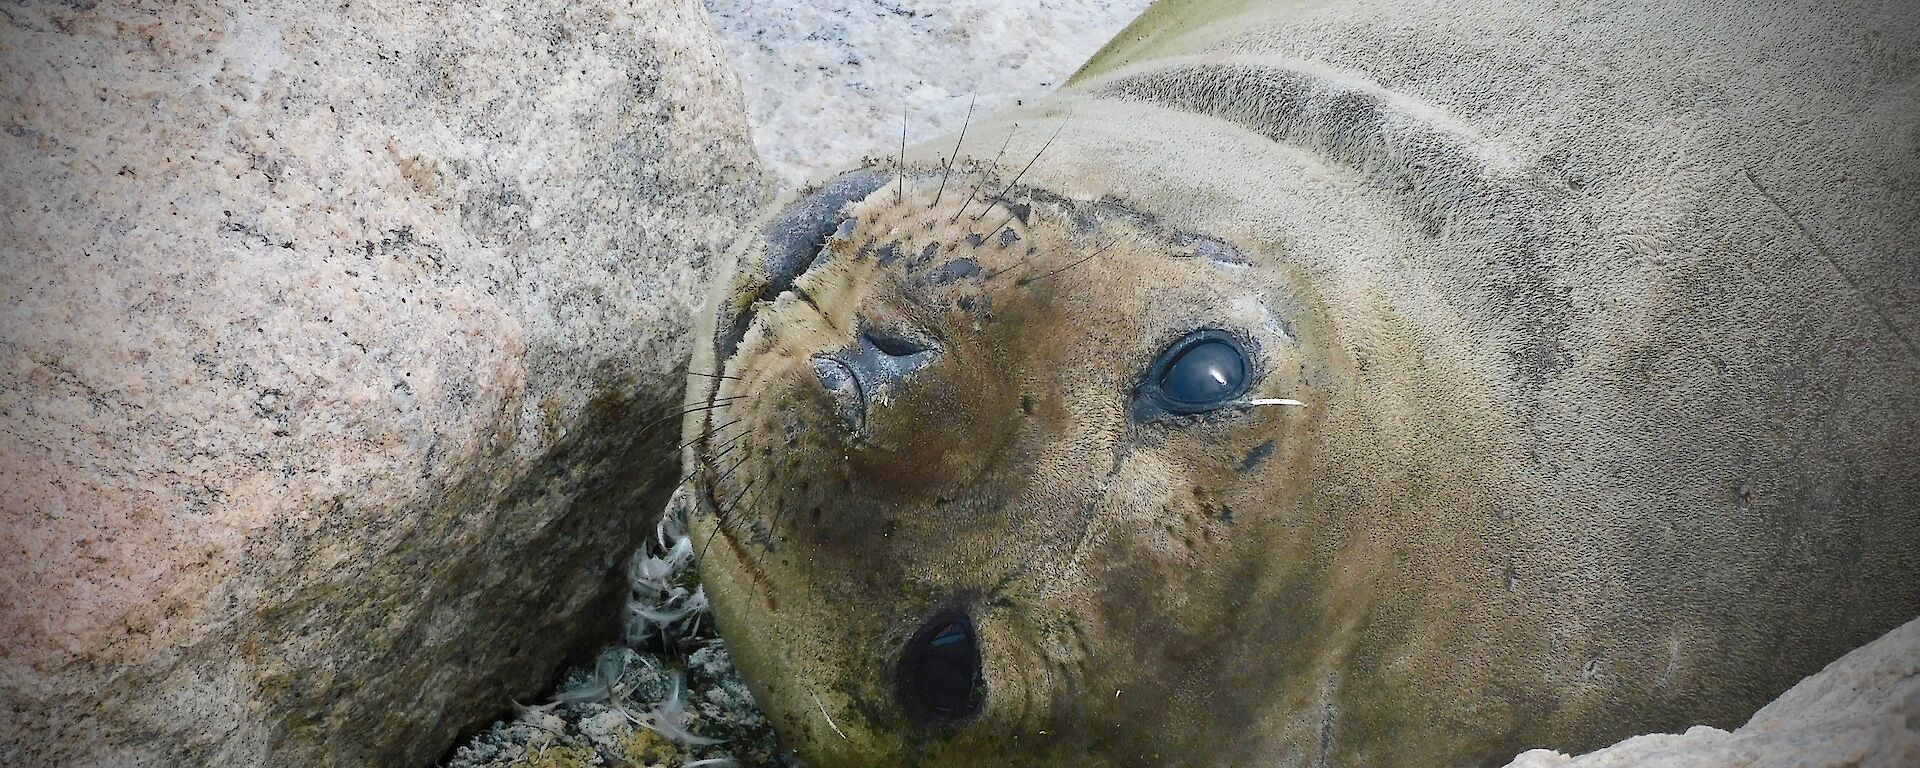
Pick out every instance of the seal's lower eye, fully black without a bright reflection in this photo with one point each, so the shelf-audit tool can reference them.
(940, 671)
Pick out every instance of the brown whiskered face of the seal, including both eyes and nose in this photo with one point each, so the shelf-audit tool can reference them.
(982, 454)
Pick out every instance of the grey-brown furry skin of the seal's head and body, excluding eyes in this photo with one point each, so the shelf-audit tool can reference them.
(1604, 322)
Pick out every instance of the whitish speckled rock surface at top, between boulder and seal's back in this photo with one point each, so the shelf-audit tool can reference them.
(827, 82)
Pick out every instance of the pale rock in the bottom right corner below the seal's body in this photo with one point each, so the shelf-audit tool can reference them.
(1861, 711)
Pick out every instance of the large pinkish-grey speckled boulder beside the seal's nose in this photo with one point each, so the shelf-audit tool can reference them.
(329, 333)
